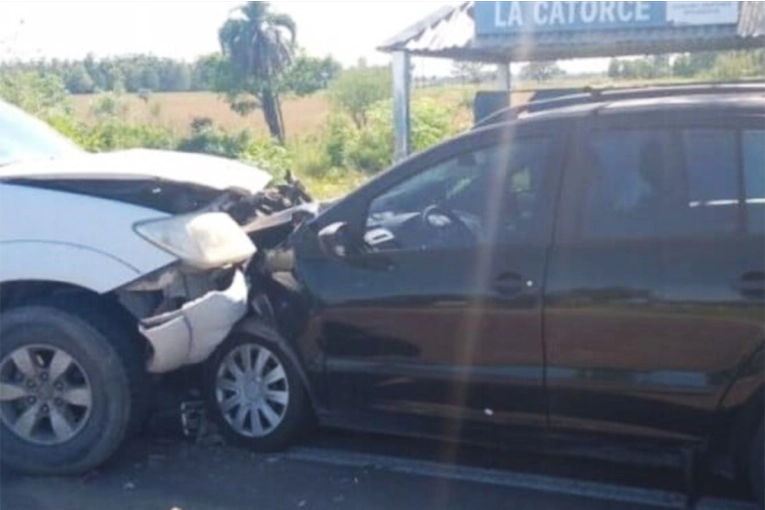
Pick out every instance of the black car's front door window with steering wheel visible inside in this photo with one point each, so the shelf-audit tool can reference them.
(482, 196)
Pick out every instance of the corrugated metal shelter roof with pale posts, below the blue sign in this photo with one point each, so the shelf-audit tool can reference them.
(450, 33)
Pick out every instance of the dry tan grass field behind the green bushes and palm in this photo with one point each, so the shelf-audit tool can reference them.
(302, 115)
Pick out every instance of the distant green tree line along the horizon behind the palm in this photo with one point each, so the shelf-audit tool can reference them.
(147, 73)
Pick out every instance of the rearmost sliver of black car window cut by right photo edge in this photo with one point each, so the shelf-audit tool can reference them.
(753, 145)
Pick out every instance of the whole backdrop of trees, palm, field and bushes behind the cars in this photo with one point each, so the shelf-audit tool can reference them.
(265, 100)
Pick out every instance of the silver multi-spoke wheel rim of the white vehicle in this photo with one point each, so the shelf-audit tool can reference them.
(45, 395)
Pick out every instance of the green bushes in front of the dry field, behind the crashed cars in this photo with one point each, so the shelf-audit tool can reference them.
(331, 159)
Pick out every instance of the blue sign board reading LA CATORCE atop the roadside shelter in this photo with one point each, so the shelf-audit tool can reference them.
(497, 17)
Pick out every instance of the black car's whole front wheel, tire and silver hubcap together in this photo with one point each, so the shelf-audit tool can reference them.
(263, 405)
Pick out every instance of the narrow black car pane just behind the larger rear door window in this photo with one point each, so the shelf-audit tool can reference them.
(709, 157)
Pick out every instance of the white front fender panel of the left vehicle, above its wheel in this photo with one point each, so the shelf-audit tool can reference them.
(77, 239)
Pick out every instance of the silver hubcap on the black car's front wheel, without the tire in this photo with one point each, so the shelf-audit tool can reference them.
(252, 390)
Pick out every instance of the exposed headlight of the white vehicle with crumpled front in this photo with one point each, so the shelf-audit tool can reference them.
(205, 241)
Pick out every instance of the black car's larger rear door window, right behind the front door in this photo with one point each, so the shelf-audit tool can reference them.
(625, 179)
